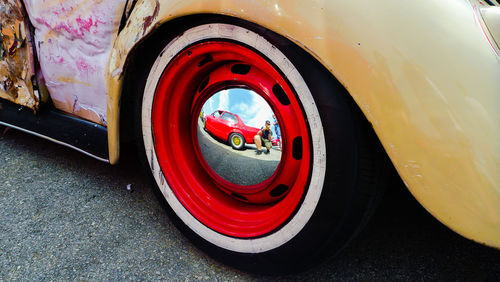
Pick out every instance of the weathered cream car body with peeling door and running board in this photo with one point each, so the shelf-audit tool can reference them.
(425, 75)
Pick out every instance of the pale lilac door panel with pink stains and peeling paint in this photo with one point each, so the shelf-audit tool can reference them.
(74, 40)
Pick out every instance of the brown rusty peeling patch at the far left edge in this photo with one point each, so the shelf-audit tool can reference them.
(16, 56)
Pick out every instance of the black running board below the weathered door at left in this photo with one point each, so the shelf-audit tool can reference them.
(78, 134)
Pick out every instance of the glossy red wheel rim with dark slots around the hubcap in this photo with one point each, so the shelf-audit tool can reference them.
(187, 82)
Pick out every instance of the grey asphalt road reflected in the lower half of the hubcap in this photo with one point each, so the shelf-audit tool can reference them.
(242, 167)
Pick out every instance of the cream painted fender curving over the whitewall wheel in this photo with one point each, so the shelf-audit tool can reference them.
(423, 72)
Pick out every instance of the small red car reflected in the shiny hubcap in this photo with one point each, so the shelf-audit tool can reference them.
(230, 127)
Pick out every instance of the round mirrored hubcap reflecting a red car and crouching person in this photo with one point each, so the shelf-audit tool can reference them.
(237, 143)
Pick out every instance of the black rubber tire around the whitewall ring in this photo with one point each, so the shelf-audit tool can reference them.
(353, 181)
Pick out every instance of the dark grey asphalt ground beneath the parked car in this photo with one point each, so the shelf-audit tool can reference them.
(65, 216)
